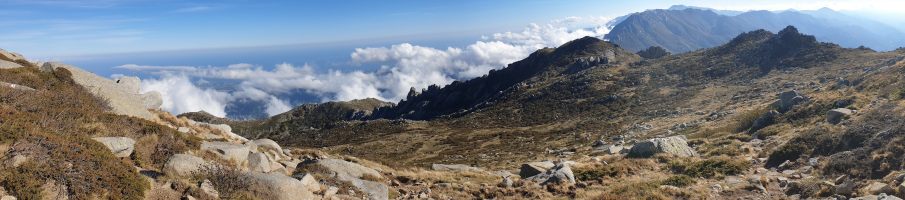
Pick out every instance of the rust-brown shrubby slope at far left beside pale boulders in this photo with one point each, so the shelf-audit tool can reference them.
(53, 127)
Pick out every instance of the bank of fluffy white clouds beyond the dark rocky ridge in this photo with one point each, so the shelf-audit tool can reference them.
(402, 66)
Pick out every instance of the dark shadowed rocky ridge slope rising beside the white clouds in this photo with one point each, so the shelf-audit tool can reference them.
(462, 97)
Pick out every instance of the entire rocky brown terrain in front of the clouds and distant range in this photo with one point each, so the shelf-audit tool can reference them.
(765, 116)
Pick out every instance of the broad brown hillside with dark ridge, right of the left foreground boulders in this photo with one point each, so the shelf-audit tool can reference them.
(764, 116)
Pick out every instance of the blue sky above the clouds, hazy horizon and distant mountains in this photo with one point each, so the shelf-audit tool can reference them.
(50, 28)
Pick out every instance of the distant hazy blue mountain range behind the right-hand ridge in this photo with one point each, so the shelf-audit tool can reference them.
(684, 28)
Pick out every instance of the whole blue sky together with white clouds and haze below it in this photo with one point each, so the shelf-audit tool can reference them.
(268, 51)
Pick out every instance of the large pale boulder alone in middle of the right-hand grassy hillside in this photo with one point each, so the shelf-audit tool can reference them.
(674, 145)
